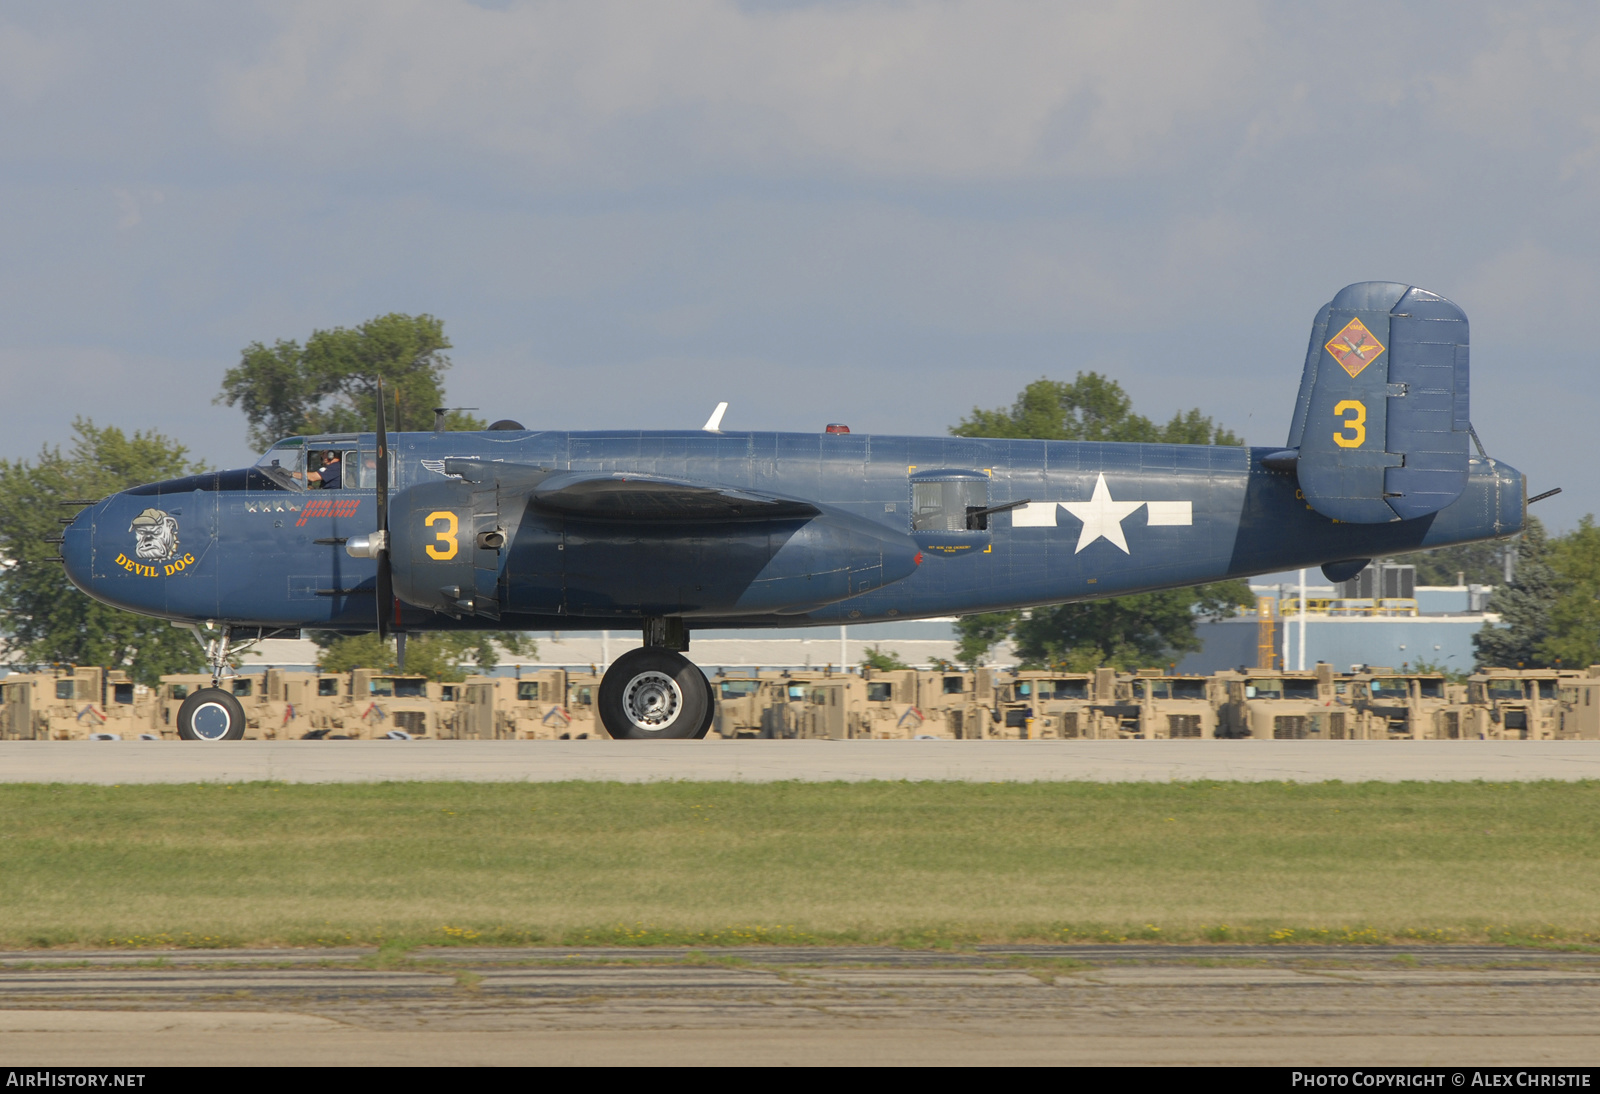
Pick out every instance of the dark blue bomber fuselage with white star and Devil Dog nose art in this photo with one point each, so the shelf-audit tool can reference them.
(258, 549)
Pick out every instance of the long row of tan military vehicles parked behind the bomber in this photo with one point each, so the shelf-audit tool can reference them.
(558, 705)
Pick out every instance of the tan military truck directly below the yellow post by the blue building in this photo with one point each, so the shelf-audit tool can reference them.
(1286, 706)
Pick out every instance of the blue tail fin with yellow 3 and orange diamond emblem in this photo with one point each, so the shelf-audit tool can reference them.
(1382, 421)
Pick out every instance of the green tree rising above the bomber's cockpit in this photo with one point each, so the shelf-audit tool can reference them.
(329, 385)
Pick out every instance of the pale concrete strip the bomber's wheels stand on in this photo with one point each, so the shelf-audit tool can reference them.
(129, 762)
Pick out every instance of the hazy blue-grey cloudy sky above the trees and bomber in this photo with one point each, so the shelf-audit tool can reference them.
(874, 214)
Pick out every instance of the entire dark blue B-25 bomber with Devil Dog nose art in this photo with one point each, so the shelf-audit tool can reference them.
(674, 530)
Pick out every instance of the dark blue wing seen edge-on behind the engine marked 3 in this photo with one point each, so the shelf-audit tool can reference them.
(626, 497)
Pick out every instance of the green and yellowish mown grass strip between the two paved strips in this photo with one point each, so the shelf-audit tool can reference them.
(798, 863)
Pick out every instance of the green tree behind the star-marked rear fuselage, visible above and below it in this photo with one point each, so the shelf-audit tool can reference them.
(1126, 631)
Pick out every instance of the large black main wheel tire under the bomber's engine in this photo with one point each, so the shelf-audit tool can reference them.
(655, 695)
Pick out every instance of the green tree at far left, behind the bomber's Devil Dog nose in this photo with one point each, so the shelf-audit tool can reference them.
(49, 620)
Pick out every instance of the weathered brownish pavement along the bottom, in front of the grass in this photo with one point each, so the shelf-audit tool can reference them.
(1452, 1007)
